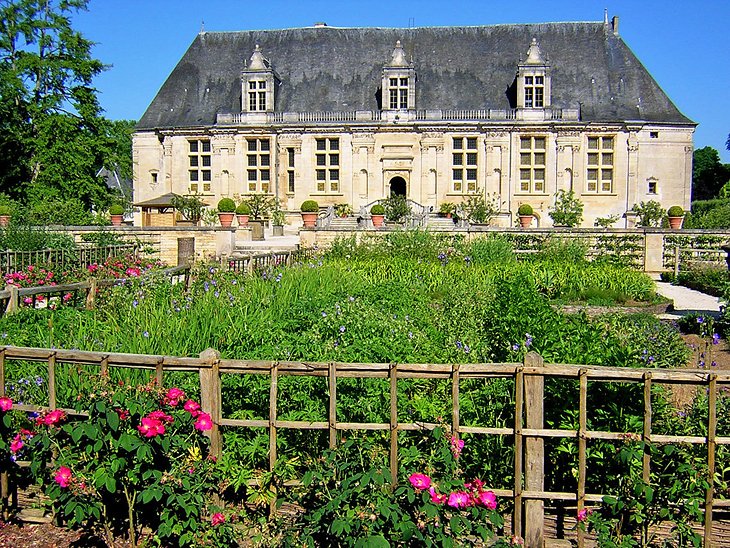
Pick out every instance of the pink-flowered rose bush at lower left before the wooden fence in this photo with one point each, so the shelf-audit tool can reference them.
(121, 452)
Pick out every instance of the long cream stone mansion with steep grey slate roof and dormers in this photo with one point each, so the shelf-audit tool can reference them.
(550, 123)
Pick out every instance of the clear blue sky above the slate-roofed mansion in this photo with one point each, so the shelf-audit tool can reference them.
(683, 44)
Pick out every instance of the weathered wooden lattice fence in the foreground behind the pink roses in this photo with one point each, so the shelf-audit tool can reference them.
(528, 431)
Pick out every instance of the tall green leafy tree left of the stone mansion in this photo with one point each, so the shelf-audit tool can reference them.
(54, 139)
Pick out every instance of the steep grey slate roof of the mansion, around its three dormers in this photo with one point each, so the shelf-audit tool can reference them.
(340, 69)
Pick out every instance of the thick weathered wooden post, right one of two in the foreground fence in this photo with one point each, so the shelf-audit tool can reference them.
(534, 510)
